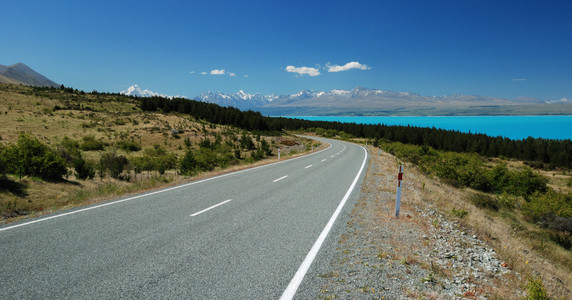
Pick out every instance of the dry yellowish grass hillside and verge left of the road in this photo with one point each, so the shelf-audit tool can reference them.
(111, 118)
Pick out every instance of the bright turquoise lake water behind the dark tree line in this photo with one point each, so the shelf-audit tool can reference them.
(513, 127)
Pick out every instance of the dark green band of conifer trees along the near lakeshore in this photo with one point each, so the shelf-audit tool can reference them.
(543, 152)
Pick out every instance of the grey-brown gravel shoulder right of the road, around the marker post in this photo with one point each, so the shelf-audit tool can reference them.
(421, 255)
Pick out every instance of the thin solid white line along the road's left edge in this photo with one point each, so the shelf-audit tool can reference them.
(155, 192)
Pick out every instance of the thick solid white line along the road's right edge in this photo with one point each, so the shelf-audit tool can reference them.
(303, 269)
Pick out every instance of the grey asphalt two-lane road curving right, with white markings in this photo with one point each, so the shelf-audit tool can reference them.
(244, 235)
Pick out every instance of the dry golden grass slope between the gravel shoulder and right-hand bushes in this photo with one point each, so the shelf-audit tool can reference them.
(525, 246)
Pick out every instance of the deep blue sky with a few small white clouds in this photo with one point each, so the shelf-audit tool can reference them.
(492, 48)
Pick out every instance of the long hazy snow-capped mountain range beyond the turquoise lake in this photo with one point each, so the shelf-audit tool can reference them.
(376, 102)
